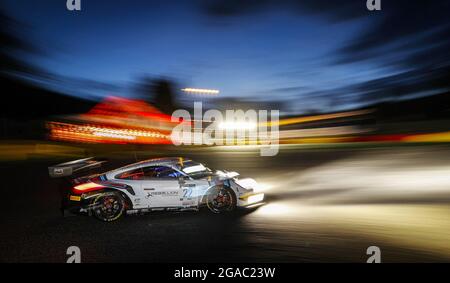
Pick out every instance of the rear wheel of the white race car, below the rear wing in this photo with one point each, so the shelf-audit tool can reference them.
(108, 206)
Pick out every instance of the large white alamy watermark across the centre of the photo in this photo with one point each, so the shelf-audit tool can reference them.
(238, 127)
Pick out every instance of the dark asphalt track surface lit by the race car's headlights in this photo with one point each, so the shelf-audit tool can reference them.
(323, 205)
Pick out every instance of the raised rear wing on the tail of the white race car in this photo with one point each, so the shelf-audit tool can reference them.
(72, 167)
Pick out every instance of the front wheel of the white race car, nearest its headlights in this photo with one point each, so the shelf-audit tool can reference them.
(221, 199)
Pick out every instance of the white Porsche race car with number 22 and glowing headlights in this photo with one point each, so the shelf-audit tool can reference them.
(153, 185)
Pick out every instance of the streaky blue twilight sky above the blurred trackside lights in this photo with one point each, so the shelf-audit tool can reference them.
(270, 54)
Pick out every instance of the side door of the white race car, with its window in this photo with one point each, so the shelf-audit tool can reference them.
(161, 187)
